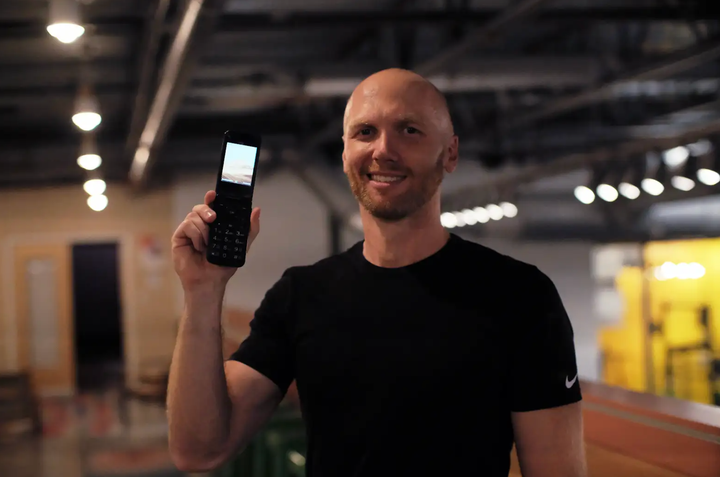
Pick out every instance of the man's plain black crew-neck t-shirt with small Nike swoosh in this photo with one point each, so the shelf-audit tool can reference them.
(414, 371)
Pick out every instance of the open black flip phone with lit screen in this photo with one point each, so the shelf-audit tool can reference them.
(229, 232)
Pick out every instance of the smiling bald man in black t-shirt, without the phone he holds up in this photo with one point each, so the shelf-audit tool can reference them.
(415, 352)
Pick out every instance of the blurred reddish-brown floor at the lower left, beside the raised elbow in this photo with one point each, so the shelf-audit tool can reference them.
(128, 437)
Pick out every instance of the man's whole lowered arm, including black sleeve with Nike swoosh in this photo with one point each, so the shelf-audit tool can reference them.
(545, 396)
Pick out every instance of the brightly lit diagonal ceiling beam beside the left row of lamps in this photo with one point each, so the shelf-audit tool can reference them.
(196, 25)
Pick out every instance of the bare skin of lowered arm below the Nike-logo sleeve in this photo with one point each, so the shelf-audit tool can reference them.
(549, 442)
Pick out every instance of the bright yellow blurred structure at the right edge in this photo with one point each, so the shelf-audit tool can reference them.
(681, 278)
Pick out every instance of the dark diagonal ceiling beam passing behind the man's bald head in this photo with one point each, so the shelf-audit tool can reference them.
(484, 34)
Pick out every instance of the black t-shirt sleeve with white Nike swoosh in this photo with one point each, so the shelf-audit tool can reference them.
(543, 361)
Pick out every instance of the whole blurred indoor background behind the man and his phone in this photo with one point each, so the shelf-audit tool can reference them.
(589, 146)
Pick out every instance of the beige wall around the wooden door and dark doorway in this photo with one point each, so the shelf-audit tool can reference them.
(61, 216)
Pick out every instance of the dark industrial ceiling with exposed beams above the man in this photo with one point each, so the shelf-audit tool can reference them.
(539, 90)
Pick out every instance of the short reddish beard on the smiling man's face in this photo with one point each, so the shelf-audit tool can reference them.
(392, 209)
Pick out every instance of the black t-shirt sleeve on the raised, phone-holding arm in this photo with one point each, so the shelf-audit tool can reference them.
(268, 348)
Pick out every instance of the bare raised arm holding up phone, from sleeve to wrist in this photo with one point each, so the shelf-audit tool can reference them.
(213, 409)
